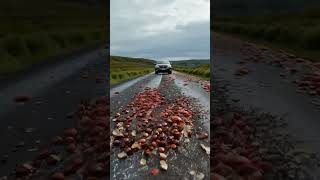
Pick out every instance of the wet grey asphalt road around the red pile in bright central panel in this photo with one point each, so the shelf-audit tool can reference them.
(189, 156)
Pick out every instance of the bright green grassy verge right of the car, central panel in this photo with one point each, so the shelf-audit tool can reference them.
(202, 71)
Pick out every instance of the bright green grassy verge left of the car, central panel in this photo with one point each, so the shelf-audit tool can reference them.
(125, 68)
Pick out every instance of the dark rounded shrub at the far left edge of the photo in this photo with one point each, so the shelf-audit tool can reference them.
(14, 46)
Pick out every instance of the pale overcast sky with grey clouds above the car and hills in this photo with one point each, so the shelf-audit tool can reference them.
(160, 29)
